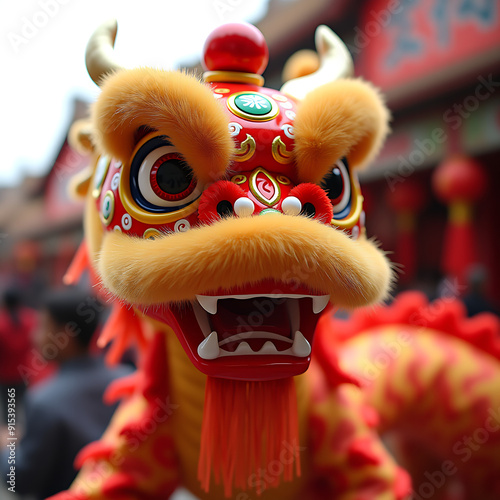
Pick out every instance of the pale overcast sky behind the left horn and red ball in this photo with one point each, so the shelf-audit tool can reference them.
(42, 61)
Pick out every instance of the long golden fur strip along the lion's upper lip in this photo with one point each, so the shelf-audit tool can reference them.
(235, 252)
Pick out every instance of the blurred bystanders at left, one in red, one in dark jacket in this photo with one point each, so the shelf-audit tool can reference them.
(52, 380)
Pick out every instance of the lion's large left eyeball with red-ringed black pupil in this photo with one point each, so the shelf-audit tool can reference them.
(160, 178)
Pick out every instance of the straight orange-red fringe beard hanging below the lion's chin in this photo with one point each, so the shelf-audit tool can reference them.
(246, 427)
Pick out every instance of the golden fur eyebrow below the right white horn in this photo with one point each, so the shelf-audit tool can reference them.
(342, 118)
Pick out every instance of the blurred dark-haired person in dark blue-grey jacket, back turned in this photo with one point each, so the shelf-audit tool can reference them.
(66, 412)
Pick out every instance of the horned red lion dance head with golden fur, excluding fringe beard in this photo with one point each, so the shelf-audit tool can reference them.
(230, 212)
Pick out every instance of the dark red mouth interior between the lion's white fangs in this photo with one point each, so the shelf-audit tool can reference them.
(240, 316)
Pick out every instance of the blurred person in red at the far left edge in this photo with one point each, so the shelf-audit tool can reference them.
(17, 324)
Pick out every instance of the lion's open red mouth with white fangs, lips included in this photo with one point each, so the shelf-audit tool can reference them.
(247, 334)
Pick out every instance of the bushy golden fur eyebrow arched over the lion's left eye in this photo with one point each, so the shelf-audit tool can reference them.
(173, 103)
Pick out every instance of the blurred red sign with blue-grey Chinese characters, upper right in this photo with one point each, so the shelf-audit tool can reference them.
(408, 45)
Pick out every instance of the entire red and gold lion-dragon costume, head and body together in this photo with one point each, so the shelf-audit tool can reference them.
(223, 217)
